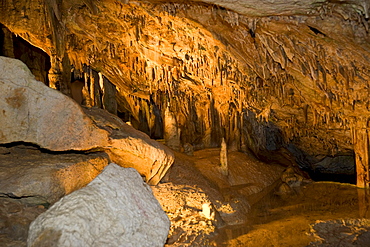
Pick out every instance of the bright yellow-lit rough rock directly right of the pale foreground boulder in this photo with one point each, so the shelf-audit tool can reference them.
(184, 206)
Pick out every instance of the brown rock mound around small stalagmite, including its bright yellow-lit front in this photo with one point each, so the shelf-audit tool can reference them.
(196, 185)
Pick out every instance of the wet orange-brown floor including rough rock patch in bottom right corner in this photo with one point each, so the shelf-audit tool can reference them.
(340, 211)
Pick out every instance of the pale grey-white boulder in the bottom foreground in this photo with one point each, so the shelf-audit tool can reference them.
(115, 209)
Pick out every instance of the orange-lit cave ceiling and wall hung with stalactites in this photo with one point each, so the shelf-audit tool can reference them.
(265, 76)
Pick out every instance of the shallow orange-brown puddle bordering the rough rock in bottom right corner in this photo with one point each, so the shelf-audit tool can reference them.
(285, 220)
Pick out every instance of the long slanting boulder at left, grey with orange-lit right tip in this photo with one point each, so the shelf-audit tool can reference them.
(33, 113)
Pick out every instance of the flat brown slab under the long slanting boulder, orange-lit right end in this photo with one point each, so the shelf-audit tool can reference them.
(42, 178)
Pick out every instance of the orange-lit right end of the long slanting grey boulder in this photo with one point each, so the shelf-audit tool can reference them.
(129, 147)
